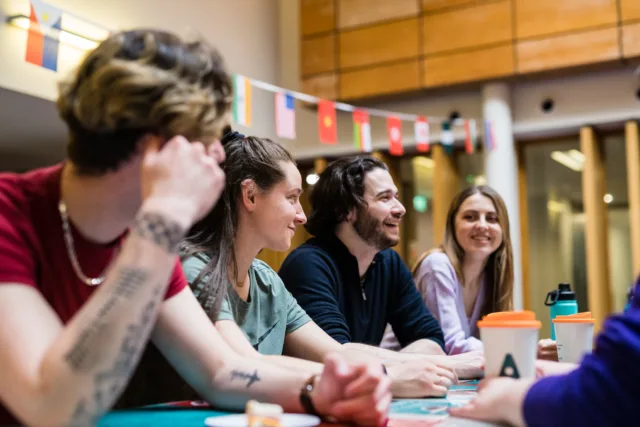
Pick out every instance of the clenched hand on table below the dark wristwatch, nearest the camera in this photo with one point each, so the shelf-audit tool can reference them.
(358, 393)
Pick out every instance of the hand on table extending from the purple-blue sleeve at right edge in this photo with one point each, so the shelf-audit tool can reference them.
(498, 400)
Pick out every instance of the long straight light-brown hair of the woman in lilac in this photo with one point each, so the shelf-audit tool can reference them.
(498, 272)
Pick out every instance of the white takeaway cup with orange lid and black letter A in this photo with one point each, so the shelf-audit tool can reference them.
(510, 341)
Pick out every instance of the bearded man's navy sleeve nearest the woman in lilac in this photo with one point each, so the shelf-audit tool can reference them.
(410, 318)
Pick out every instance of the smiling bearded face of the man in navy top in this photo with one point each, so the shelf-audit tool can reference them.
(378, 222)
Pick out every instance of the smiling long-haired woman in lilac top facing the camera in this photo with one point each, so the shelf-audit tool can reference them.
(471, 273)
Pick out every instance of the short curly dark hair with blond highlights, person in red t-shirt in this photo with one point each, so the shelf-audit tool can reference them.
(142, 82)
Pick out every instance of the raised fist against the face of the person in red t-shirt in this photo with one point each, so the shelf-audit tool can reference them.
(184, 176)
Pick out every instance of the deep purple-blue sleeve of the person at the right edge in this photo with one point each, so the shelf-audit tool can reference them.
(602, 391)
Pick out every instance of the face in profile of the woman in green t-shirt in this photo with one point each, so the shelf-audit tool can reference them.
(278, 211)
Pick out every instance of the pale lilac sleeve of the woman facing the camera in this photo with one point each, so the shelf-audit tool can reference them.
(437, 283)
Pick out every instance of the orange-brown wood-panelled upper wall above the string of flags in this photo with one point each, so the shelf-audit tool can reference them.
(355, 49)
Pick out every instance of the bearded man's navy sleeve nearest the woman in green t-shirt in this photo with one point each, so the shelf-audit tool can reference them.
(311, 278)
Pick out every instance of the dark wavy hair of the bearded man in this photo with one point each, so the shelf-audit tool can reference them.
(338, 192)
